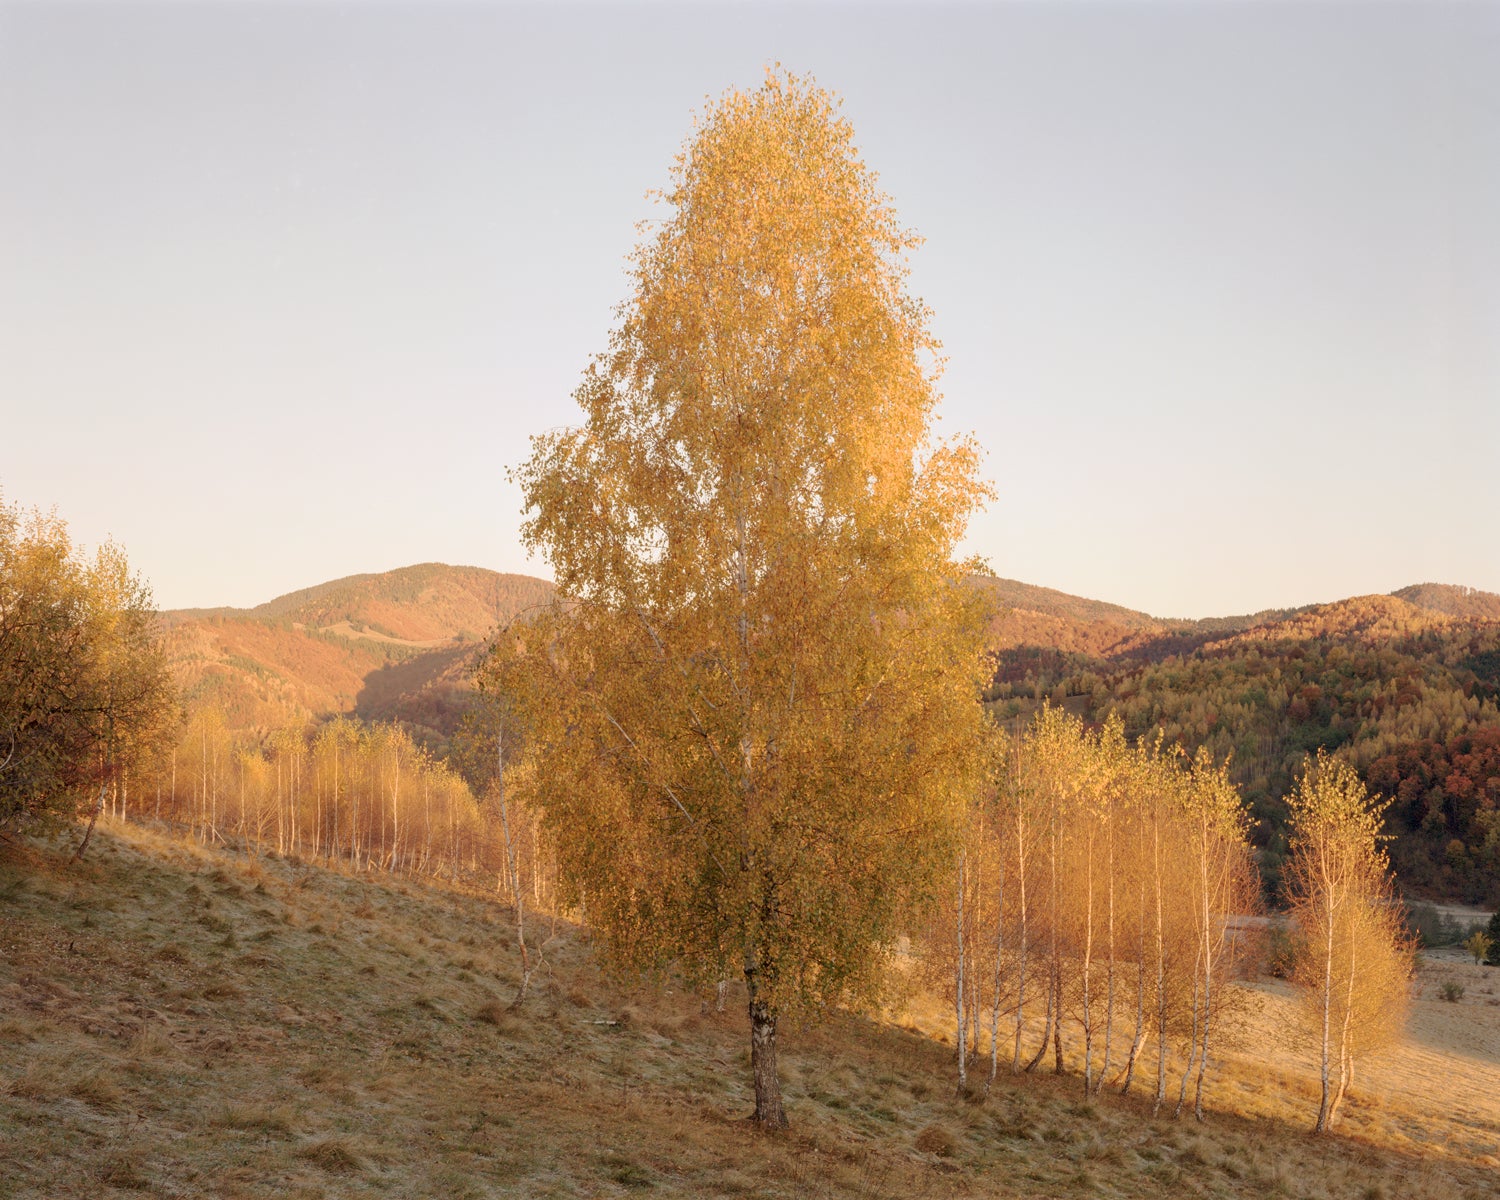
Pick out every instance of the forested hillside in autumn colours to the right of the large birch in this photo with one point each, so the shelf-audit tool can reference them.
(1403, 686)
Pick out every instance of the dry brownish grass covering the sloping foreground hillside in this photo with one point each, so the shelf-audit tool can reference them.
(356, 1039)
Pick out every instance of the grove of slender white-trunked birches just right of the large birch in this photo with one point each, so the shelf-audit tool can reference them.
(1103, 901)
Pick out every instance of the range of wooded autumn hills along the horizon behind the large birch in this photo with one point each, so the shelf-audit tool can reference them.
(1403, 686)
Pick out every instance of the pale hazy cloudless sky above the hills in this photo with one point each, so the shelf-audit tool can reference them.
(284, 289)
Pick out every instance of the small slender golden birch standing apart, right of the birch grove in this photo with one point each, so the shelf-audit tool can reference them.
(1354, 958)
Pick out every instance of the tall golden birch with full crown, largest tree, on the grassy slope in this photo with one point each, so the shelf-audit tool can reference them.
(754, 718)
